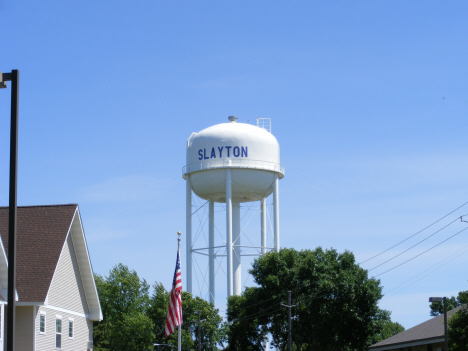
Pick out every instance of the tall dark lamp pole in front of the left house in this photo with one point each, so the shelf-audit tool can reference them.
(14, 78)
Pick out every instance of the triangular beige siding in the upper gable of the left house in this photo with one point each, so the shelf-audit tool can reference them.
(66, 290)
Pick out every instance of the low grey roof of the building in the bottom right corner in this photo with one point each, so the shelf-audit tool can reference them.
(424, 333)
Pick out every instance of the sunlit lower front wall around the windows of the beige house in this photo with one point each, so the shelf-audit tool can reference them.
(46, 341)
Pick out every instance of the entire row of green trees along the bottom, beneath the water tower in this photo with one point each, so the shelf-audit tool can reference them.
(335, 308)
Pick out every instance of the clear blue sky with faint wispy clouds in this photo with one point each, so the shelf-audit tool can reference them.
(368, 101)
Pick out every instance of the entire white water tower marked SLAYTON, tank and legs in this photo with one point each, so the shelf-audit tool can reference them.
(232, 163)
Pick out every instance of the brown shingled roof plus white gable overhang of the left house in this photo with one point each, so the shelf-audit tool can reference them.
(42, 234)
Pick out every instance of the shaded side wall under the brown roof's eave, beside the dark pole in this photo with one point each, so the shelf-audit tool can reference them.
(24, 327)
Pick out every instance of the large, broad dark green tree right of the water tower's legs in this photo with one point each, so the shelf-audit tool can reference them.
(337, 302)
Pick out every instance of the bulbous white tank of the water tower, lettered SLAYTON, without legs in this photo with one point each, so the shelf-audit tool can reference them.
(252, 151)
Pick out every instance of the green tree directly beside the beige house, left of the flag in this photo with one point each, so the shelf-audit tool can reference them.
(124, 299)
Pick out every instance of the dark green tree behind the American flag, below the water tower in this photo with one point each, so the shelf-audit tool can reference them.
(213, 330)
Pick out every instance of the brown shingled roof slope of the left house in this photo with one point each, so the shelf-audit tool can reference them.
(40, 236)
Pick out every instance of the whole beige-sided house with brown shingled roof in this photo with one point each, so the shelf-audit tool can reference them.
(54, 278)
